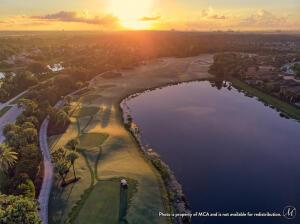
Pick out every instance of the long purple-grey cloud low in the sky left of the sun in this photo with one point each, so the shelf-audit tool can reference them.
(71, 16)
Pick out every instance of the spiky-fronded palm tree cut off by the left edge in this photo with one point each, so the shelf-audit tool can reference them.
(7, 157)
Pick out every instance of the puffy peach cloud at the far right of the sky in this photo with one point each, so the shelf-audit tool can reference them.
(263, 18)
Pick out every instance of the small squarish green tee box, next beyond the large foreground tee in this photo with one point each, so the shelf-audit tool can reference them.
(92, 140)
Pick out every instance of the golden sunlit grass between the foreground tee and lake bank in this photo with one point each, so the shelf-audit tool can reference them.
(119, 157)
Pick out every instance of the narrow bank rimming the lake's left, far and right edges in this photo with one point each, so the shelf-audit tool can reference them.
(182, 206)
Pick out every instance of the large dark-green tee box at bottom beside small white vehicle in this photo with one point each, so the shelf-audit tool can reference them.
(103, 204)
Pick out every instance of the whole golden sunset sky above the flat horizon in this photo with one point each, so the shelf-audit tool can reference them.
(202, 15)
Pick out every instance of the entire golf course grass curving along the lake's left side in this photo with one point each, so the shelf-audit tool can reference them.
(104, 160)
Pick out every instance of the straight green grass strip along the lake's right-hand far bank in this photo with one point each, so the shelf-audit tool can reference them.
(282, 106)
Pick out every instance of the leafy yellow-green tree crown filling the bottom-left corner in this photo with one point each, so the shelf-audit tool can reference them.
(18, 210)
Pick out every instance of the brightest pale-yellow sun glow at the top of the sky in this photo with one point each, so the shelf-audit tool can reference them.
(131, 12)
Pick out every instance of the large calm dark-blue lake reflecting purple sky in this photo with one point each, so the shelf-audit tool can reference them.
(230, 152)
